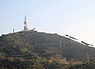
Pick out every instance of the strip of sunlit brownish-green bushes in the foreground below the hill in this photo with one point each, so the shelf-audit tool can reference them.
(9, 63)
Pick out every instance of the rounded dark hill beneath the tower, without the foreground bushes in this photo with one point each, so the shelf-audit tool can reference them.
(45, 45)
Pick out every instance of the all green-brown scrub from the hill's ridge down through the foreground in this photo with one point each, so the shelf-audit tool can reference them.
(39, 50)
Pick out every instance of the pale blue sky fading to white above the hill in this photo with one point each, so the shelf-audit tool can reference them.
(73, 17)
